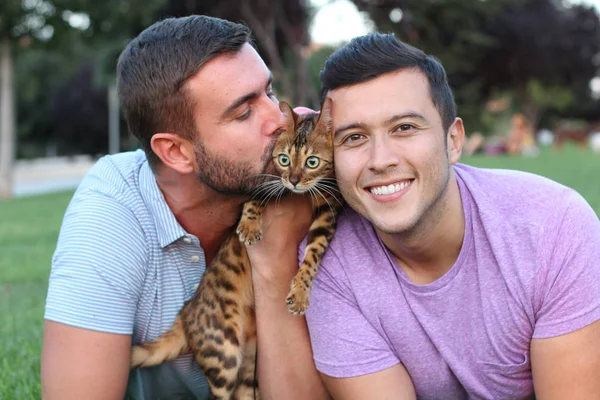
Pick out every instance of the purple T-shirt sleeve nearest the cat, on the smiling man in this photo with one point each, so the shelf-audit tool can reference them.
(344, 343)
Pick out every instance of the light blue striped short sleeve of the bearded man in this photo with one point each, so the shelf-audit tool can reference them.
(98, 266)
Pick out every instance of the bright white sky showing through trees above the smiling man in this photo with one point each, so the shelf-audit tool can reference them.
(339, 20)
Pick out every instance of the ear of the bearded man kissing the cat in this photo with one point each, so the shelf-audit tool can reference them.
(175, 152)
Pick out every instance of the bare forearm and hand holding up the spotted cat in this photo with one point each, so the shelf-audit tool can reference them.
(285, 364)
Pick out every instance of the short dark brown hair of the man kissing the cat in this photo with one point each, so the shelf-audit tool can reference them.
(154, 67)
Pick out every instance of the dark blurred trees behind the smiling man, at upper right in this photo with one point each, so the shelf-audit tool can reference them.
(535, 48)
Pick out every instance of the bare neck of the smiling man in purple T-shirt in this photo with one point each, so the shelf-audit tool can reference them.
(429, 252)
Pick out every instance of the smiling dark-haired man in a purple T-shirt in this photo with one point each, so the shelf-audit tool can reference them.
(445, 281)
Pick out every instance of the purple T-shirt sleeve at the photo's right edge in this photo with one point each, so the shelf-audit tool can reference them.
(568, 288)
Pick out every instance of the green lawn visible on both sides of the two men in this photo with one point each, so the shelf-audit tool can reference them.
(29, 229)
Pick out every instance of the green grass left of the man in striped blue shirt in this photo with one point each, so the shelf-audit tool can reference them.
(28, 232)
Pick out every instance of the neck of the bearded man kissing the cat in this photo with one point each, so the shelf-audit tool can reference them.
(201, 211)
